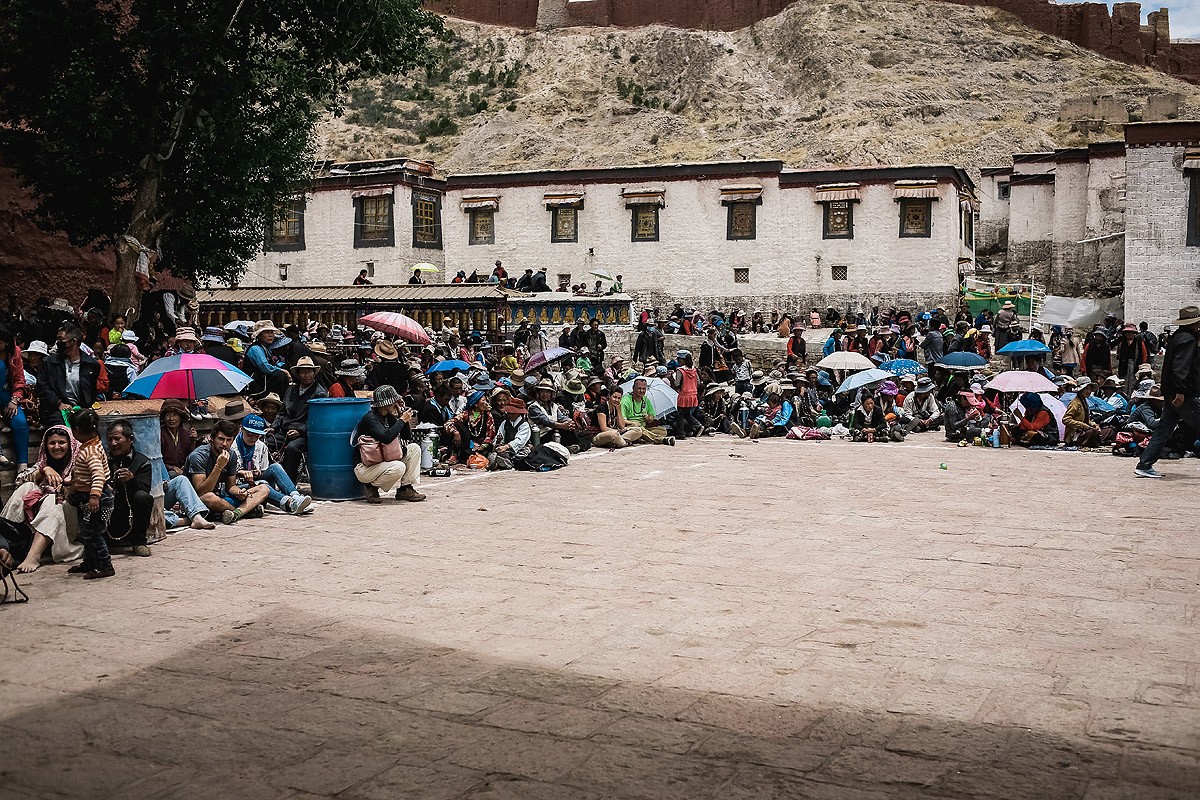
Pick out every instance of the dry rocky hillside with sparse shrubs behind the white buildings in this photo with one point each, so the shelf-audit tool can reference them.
(824, 83)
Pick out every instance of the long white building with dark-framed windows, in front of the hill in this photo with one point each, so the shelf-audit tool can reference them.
(747, 234)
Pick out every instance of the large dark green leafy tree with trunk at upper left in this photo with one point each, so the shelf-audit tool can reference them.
(181, 125)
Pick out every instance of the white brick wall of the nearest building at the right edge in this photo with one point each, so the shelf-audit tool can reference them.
(1162, 273)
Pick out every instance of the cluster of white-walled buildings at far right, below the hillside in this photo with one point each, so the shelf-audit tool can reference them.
(1094, 221)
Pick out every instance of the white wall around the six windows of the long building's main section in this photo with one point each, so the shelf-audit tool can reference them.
(694, 261)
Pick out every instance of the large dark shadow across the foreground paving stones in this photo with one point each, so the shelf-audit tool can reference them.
(296, 706)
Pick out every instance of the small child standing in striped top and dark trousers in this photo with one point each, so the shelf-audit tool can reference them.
(92, 496)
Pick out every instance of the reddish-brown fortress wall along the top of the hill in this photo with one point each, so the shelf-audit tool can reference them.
(1118, 35)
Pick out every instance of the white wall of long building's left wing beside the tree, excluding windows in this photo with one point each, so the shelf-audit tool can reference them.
(331, 257)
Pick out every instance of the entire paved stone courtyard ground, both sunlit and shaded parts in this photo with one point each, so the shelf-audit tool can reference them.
(721, 621)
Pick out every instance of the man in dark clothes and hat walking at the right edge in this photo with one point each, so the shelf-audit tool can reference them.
(1181, 389)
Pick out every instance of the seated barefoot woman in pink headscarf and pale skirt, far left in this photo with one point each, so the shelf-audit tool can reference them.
(39, 501)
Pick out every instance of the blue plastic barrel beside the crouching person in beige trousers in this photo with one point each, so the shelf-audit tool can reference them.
(332, 420)
